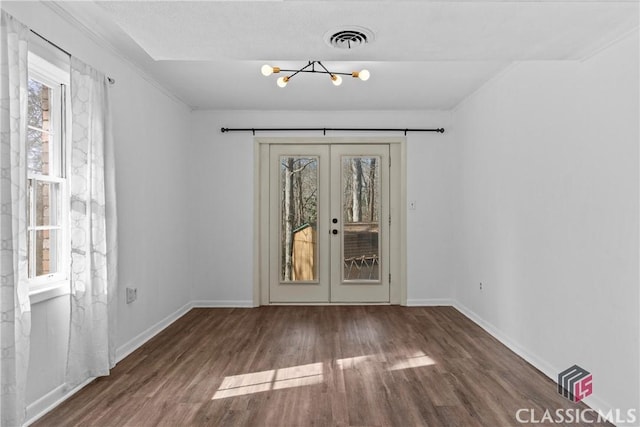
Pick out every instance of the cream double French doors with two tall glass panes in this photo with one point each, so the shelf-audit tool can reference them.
(329, 217)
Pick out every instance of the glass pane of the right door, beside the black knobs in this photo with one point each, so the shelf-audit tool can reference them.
(361, 217)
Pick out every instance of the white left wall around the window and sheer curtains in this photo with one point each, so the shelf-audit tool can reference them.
(151, 135)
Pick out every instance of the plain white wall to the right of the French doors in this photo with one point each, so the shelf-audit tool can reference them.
(548, 215)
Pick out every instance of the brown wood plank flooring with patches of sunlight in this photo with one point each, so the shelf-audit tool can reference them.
(316, 366)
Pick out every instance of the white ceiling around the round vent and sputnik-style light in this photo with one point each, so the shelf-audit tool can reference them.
(422, 54)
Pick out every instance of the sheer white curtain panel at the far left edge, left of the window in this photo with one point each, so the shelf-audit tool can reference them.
(15, 324)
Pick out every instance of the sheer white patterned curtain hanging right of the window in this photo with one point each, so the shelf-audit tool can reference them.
(93, 228)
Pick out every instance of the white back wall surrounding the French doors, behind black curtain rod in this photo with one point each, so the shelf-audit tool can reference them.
(223, 176)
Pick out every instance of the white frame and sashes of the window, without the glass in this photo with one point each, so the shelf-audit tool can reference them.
(48, 286)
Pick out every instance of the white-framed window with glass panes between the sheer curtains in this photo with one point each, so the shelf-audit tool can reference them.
(47, 199)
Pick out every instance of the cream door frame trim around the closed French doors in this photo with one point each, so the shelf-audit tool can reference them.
(397, 204)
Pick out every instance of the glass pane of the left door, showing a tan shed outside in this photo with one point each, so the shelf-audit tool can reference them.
(298, 218)
